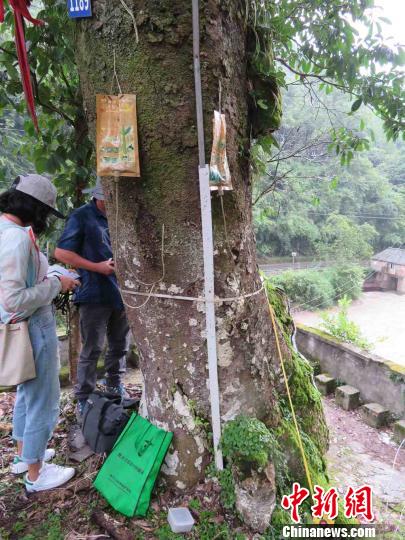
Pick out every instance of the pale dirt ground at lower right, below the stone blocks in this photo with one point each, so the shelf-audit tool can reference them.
(359, 455)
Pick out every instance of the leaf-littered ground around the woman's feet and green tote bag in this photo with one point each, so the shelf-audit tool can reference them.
(79, 512)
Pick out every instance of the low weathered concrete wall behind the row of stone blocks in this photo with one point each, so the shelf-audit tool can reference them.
(378, 380)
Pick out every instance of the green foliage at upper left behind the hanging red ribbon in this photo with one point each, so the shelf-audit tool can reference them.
(62, 149)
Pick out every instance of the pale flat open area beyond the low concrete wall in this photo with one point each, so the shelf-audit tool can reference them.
(381, 317)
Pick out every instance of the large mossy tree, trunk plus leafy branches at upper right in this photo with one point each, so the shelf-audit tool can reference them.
(315, 41)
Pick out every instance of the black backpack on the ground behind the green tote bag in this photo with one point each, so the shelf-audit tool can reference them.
(104, 417)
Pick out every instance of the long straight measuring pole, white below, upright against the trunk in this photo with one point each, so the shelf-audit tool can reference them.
(208, 248)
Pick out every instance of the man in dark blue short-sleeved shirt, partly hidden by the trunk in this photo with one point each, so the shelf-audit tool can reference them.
(85, 244)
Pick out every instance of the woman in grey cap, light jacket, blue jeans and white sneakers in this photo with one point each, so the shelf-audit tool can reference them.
(27, 293)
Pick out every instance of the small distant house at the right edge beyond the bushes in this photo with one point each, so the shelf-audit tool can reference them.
(389, 266)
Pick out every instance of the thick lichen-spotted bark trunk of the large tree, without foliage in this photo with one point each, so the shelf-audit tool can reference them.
(170, 334)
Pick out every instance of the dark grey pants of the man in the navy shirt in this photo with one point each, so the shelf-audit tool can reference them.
(98, 321)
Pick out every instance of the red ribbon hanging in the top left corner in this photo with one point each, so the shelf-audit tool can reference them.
(21, 12)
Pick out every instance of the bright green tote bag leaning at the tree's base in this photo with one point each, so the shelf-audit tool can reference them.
(128, 475)
